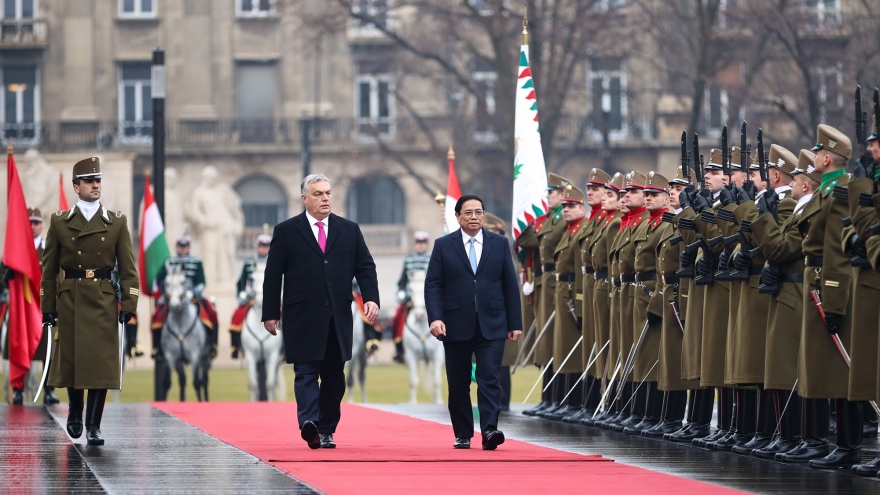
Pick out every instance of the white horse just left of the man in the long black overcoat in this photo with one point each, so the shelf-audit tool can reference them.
(262, 350)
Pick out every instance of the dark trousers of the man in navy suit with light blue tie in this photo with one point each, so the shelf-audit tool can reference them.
(458, 377)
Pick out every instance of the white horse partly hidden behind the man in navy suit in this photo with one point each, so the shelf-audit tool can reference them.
(418, 343)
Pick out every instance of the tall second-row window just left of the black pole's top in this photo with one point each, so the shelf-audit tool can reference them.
(135, 103)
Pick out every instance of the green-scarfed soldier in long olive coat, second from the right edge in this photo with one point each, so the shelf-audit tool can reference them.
(823, 372)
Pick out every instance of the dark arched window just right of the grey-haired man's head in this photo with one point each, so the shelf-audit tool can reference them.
(376, 200)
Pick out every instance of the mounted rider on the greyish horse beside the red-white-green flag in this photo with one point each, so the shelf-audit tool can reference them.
(194, 272)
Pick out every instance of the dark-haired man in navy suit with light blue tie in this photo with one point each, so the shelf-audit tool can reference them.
(472, 298)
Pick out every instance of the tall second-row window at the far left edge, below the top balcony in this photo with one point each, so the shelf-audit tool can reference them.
(21, 103)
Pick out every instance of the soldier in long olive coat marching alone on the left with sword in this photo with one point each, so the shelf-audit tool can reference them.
(86, 242)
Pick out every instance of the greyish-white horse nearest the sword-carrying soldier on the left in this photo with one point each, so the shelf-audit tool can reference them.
(183, 335)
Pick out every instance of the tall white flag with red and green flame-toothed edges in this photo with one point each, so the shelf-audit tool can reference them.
(529, 172)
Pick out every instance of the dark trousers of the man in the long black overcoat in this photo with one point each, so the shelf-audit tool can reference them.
(319, 402)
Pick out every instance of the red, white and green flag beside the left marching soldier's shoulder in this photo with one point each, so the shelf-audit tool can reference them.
(152, 247)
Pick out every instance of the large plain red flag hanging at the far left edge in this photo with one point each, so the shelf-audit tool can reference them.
(19, 255)
